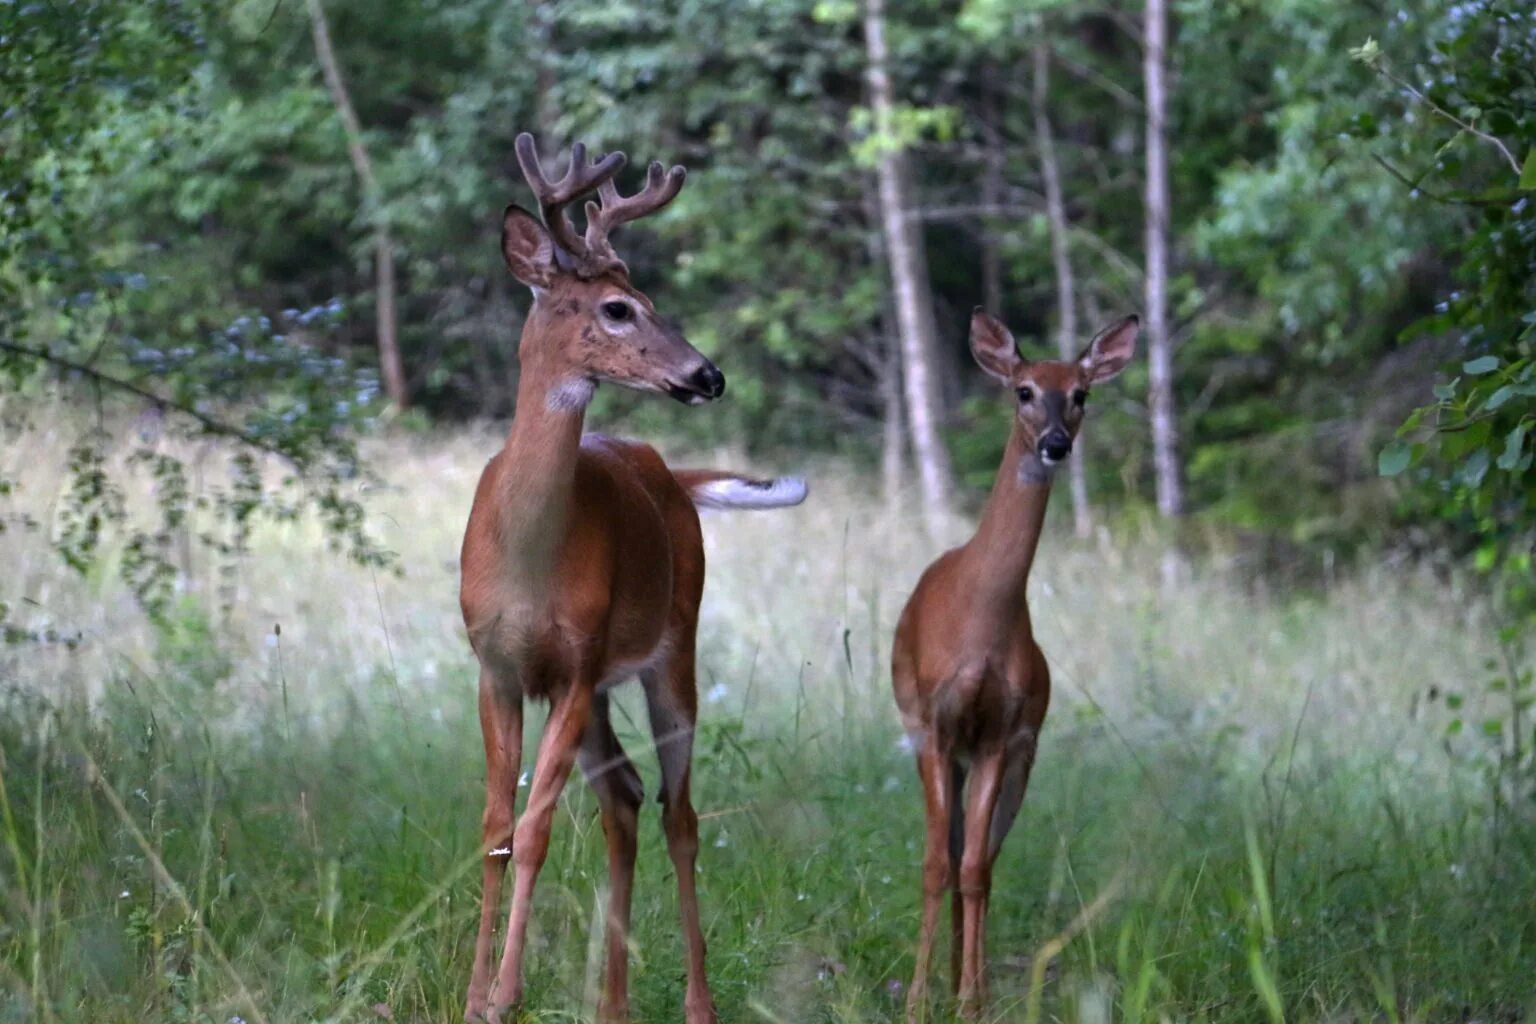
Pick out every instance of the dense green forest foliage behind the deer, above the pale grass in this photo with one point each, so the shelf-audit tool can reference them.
(182, 214)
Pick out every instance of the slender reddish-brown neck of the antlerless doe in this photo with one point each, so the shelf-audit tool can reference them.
(1004, 547)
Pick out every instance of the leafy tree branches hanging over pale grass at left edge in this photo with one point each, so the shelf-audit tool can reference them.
(87, 308)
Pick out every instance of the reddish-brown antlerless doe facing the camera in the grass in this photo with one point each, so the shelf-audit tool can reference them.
(970, 681)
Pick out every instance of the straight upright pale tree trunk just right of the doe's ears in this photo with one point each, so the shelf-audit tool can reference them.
(1160, 355)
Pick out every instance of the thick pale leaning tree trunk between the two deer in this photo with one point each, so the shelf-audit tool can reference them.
(915, 312)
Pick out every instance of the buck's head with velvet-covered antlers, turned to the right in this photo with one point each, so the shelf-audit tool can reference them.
(589, 323)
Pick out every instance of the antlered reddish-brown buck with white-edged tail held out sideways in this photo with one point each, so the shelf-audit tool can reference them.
(583, 567)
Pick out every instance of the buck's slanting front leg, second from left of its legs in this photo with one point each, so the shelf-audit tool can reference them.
(531, 841)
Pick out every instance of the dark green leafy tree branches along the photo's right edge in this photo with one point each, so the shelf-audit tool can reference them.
(1474, 449)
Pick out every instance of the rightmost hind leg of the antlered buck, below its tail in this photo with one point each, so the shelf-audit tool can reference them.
(674, 704)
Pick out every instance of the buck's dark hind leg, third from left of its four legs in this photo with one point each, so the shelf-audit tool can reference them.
(620, 794)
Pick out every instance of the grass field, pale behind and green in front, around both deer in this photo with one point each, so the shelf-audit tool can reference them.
(1245, 805)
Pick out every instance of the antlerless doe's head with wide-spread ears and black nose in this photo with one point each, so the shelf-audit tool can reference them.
(1051, 394)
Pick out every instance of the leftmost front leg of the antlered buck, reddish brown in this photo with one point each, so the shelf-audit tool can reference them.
(502, 727)
